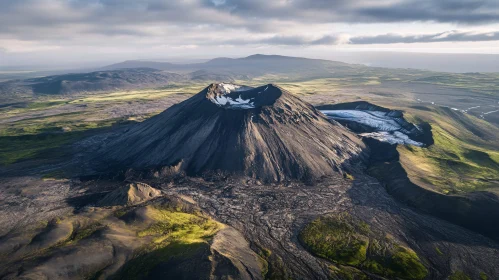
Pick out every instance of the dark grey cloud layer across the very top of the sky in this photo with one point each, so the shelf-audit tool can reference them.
(21, 16)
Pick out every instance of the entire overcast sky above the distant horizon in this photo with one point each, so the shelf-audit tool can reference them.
(62, 32)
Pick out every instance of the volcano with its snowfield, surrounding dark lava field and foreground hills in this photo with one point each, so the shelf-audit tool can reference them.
(242, 182)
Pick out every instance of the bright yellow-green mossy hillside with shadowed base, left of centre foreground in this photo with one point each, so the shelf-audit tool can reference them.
(179, 246)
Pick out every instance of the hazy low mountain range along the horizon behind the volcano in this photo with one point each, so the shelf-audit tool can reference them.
(139, 74)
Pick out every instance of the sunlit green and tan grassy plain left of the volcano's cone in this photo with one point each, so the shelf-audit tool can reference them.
(40, 128)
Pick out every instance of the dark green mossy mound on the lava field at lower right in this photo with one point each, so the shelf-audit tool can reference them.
(347, 241)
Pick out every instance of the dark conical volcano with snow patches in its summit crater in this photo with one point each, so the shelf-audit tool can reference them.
(264, 132)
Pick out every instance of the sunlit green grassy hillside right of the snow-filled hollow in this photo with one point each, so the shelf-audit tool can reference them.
(454, 163)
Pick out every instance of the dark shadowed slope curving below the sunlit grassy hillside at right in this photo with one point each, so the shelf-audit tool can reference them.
(475, 210)
